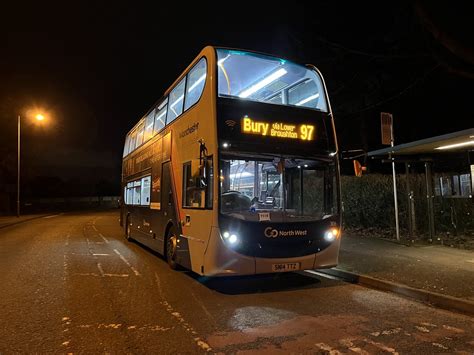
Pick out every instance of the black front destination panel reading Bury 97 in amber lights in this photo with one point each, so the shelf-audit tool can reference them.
(247, 126)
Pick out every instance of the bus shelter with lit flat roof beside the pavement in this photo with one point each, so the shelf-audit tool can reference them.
(447, 163)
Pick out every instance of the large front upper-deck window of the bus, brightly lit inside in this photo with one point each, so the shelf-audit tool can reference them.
(268, 79)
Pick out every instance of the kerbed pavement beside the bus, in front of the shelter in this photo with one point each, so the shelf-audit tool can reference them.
(440, 275)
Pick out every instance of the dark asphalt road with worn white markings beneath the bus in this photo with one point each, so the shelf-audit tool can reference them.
(70, 283)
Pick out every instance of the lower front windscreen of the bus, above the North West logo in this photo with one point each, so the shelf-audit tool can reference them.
(281, 189)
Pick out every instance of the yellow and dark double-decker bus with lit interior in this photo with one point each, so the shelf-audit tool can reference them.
(234, 170)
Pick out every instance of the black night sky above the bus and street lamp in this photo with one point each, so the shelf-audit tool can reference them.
(97, 67)
